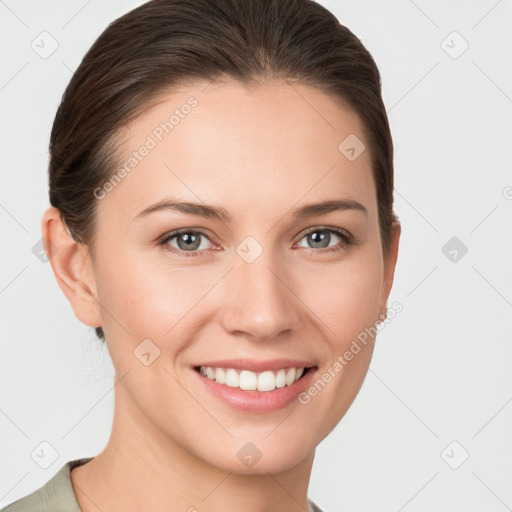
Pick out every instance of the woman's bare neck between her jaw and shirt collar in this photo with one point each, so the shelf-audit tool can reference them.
(142, 468)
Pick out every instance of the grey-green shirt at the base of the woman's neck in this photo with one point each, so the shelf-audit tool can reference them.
(57, 495)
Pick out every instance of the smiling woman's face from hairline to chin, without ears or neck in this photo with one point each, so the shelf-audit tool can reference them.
(259, 284)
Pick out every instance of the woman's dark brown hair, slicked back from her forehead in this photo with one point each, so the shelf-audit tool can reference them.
(166, 43)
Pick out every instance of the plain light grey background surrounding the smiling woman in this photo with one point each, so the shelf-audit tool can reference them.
(441, 369)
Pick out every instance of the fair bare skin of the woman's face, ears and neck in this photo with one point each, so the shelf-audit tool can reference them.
(259, 153)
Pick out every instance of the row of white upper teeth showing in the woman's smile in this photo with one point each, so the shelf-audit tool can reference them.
(251, 381)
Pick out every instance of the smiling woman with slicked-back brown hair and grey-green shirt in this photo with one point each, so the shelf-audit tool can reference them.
(221, 188)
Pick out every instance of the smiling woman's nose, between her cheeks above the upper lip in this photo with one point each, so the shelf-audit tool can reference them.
(259, 301)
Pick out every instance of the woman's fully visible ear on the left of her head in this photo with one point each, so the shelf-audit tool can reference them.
(72, 266)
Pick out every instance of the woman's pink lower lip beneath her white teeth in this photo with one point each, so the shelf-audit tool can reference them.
(258, 401)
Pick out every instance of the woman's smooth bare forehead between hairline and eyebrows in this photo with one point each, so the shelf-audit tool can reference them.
(264, 147)
